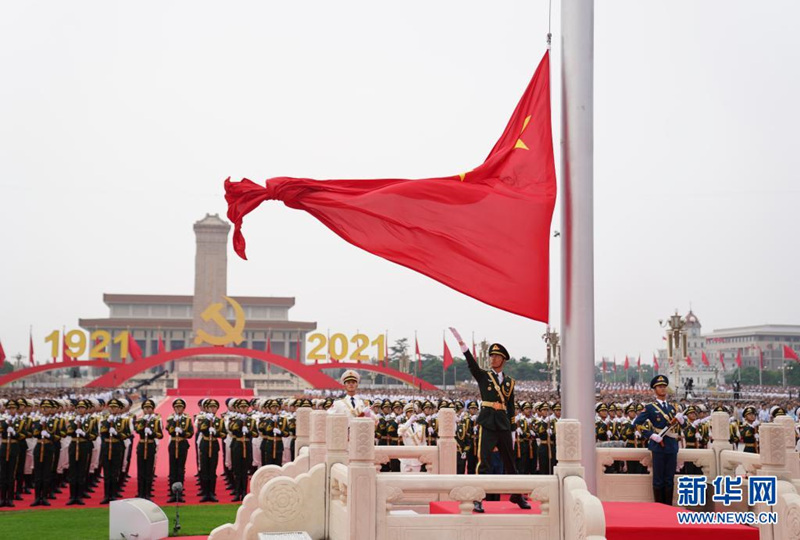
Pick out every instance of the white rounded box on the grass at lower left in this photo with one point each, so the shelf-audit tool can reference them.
(136, 519)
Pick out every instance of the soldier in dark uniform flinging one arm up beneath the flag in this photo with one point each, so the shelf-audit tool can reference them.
(497, 413)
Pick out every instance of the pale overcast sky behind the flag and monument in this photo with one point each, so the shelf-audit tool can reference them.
(120, 121)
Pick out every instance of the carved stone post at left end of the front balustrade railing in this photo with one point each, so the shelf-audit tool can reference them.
(361, 480)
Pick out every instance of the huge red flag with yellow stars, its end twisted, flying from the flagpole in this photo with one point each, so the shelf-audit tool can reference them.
(485, 233)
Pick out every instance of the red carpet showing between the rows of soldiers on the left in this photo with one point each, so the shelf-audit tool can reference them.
(160, 492)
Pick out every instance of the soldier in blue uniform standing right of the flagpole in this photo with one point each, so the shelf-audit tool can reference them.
(664, 421)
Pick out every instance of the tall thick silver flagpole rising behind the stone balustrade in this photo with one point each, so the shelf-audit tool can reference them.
(577, 247)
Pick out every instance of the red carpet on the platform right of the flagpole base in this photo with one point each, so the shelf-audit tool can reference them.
(634, 521)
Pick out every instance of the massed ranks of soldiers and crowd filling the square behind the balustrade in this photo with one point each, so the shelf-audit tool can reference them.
(54, 439)
